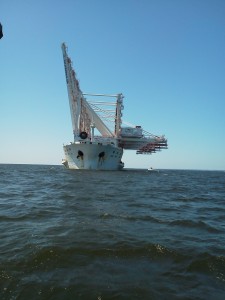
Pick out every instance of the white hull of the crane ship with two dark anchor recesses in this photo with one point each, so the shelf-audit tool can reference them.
(92, 156)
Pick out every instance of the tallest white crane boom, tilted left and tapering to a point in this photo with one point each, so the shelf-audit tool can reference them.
(74, 93)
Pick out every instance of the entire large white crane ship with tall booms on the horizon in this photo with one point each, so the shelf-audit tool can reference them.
(100, 136)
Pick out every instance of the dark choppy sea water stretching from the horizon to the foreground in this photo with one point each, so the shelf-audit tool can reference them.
(128, 234)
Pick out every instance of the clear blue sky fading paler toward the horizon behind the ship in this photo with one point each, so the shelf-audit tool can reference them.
(165, 56)
